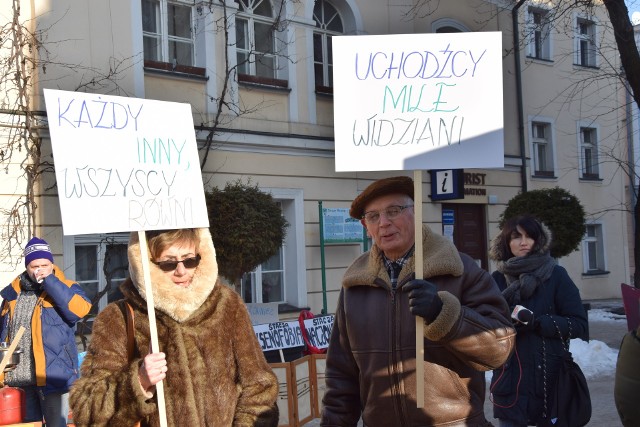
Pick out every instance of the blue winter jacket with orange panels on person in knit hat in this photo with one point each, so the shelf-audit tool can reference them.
(60, 306)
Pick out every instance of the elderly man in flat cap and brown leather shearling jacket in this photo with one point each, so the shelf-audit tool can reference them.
(371, 361)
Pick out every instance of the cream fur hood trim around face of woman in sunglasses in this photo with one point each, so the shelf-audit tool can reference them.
(176, 302)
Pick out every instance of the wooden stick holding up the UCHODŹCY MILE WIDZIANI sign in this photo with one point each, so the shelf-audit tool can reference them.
(419, 270)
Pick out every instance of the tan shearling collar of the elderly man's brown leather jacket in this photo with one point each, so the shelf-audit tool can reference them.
(439, 254)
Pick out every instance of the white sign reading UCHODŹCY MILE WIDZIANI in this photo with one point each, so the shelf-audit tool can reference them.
(418, 101)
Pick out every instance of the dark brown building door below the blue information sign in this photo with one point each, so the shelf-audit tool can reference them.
(470, 230)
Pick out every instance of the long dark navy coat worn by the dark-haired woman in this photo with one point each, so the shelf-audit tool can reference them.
(518, 387)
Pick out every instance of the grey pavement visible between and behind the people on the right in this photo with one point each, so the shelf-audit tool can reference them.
(604, 412)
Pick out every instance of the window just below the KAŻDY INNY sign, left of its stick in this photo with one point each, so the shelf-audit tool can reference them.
(99, 264)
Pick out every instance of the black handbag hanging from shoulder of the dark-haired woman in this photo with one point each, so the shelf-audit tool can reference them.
(569, 403)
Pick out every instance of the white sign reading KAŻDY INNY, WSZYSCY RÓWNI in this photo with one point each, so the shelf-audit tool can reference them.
(124, 164)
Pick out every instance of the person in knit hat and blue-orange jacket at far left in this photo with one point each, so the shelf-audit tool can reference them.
(48, 306)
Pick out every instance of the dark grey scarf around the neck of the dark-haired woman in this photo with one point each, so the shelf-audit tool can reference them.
(524, 274)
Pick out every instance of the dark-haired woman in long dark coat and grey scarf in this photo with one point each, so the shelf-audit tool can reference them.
(529, 277)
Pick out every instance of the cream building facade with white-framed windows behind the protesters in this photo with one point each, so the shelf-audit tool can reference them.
(258, 77)
